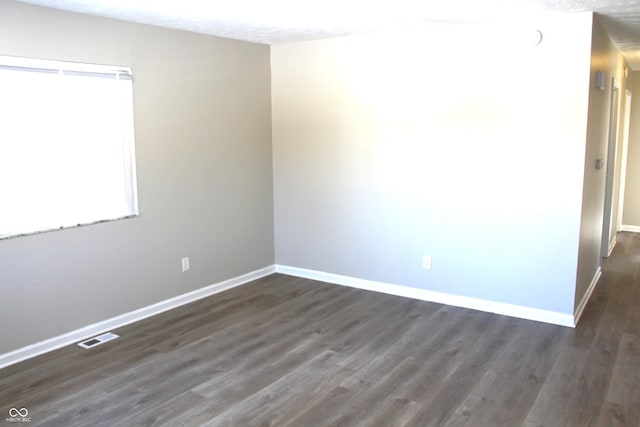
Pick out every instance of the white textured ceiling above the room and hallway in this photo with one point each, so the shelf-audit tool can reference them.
(278, 21)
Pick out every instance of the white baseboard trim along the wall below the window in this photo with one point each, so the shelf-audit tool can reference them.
(127, 318)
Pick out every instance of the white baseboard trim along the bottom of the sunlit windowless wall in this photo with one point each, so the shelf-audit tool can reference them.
(512, 310)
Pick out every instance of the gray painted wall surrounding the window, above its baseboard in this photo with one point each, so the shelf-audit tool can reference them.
(203, 139)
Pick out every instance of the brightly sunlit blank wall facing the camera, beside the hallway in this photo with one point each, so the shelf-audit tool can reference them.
(466, 143)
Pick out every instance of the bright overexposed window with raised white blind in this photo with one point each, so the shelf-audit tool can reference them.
(66, 145)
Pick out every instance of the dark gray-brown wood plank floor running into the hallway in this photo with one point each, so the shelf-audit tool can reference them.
(291, 352)
